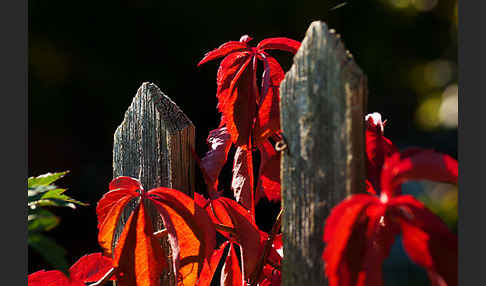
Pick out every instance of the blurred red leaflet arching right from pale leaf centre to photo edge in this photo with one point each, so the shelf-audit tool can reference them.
(418, 164)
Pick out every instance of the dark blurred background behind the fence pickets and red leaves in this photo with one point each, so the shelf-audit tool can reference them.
(87, 59)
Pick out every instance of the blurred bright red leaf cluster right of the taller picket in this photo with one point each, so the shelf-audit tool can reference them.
(361, 230)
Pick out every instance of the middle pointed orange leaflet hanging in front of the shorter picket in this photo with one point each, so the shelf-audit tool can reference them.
(138, 256)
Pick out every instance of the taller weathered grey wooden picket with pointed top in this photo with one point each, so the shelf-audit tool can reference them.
(322, 106)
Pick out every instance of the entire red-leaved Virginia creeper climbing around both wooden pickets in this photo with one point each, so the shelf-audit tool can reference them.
(212, 232)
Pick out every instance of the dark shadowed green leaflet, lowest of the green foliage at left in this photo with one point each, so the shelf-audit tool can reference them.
(52, 253)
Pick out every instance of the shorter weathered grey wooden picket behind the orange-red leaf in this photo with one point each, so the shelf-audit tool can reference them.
(153, 144)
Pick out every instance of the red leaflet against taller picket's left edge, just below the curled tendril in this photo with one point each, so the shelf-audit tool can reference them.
(269, 173)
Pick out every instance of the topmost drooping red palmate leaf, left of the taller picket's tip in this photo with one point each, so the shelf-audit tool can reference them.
(237, 94)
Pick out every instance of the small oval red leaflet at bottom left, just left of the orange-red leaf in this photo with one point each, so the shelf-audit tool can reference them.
(90, 268)
